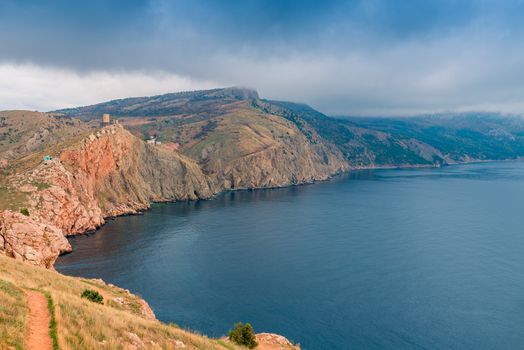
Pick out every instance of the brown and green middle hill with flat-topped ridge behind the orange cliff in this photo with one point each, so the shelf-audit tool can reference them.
(237, 145)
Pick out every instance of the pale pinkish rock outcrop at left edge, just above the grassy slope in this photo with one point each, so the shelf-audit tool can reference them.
(31, 241)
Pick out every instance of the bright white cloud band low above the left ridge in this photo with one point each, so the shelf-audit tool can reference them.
(28, 86)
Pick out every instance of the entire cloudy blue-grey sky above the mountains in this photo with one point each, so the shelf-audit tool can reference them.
(343, 57)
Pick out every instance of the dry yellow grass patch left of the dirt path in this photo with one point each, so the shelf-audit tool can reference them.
(13, 316)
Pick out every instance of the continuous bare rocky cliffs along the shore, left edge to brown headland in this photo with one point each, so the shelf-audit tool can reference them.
(111, 172)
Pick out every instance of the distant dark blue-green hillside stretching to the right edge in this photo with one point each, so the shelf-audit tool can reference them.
(424, 140)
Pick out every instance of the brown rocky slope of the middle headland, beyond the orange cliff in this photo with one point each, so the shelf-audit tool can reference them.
(246, 148)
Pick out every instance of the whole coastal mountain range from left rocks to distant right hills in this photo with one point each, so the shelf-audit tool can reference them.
(193, 145)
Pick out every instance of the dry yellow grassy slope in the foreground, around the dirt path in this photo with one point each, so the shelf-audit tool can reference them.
(82, 324)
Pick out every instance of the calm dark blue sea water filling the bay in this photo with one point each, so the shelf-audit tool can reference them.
(386, 259)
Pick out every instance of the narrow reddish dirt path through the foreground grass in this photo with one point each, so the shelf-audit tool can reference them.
(38, 337)
